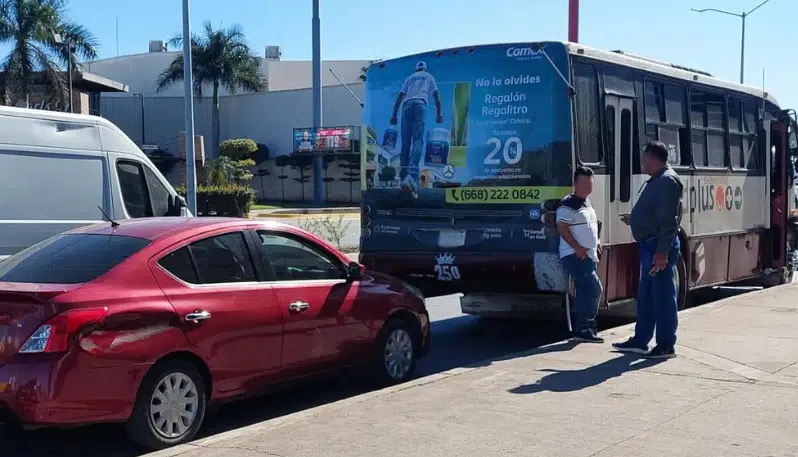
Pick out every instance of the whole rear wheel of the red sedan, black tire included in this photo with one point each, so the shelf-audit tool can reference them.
(145, 426)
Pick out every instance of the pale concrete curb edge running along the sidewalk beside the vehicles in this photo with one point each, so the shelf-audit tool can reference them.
(340, 404)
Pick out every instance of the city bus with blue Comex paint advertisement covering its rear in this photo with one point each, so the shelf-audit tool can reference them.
(487, 139)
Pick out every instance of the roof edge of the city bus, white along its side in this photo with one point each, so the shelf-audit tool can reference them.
(631, 60)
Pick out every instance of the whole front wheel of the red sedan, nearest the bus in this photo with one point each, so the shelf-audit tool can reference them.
(398, 348)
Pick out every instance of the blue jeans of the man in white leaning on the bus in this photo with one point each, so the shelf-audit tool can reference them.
(588, 290)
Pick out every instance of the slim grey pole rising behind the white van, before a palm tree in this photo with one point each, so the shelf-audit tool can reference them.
(191, 162)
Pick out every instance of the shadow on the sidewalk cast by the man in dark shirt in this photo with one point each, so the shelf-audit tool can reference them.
(573, 380)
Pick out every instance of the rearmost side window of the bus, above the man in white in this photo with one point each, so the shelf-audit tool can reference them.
(588, 134)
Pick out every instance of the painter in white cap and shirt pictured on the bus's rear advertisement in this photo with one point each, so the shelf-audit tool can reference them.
(415, 94)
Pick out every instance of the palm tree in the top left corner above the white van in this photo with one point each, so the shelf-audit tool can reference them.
(29, 28)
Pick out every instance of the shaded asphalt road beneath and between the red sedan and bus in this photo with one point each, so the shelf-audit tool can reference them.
(458, 340)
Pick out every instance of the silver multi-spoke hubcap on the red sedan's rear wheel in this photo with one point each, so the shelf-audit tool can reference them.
(173, 406)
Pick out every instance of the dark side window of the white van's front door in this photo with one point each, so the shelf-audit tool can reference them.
(142, 192)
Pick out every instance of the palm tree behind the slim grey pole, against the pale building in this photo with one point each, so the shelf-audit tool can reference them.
(220, 58)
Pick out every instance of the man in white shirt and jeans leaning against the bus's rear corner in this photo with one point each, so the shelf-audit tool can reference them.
(579, 250)
